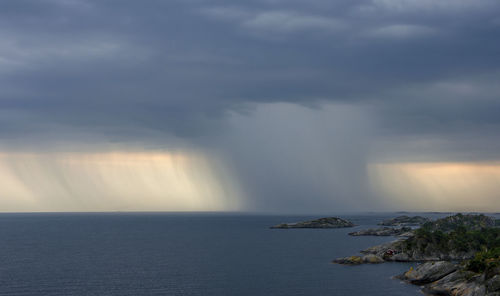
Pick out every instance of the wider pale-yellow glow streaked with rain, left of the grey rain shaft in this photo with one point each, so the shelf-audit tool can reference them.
(114, 181)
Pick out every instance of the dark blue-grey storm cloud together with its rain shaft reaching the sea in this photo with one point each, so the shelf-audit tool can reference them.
(376, 80)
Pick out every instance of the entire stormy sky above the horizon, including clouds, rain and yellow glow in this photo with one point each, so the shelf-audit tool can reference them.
(265, 106)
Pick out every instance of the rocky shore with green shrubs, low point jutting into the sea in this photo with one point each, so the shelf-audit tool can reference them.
(460, 256)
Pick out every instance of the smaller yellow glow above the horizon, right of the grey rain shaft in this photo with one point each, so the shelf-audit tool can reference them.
(438, 186)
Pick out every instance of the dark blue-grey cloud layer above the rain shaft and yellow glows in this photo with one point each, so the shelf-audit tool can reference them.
(179, 66)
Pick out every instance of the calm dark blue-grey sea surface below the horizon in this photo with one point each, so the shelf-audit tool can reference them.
(185, 254)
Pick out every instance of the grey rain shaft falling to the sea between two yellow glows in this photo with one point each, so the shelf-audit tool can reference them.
(297, 159)
